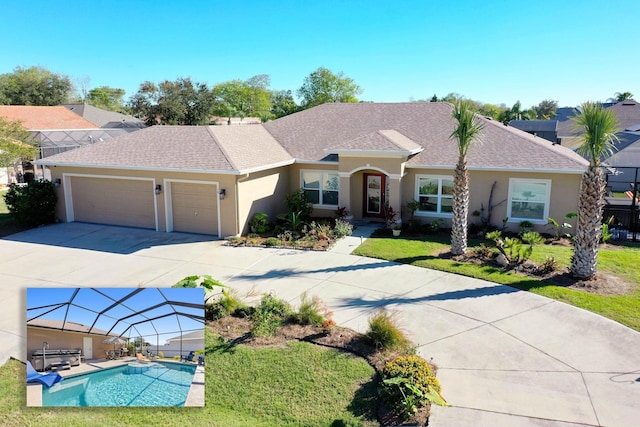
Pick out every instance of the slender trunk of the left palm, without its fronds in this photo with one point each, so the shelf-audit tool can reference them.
(460, 208)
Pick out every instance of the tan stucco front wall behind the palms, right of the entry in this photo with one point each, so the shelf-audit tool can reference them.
(563, 195)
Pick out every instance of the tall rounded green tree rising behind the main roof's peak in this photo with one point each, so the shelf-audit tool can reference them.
(322, 86)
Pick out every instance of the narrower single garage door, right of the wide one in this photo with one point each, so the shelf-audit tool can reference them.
(194, 207)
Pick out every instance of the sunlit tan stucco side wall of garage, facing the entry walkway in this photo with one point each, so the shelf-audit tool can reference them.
(262, 192)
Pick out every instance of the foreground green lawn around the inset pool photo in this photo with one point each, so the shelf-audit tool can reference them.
(300, 385)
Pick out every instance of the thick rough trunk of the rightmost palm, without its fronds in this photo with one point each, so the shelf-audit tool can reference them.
(589, 227)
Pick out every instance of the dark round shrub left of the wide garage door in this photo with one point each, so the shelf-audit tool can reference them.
(32, 205)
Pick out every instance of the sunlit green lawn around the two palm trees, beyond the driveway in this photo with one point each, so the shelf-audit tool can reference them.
(623, 262)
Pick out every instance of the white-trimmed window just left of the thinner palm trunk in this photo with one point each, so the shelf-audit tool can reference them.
(435, 194)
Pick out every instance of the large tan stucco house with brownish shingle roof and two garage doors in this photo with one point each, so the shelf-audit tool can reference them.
(212, 179)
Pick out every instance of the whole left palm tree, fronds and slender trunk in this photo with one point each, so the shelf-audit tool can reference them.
(468, 128)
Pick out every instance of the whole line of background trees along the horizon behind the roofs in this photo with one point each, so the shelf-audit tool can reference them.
(187, 102)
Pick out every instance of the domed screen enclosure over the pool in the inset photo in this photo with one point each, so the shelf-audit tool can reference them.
(147, 317)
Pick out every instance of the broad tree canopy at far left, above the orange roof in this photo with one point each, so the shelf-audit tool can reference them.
(34, 86)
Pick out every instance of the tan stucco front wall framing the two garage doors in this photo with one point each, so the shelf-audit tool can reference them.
(162, 205)
